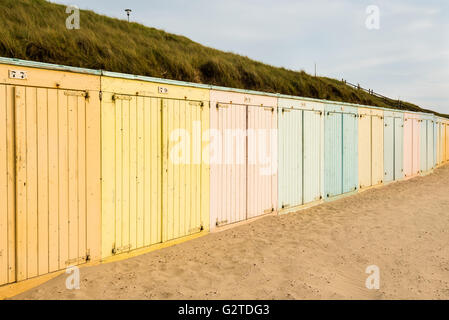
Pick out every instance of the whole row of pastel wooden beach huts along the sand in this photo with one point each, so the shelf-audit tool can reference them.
(95, 164)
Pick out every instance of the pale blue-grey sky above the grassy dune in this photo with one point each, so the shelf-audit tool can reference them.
(407, 57)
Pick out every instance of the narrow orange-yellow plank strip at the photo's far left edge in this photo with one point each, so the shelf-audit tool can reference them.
(4, 230)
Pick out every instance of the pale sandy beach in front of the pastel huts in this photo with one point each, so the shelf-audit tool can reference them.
(317, 253)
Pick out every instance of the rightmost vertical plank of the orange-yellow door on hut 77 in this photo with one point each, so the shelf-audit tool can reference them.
(82, 176)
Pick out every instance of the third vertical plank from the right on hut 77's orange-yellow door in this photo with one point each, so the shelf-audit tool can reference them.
(63, 127)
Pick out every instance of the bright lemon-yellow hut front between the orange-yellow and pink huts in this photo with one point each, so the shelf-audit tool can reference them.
(155, 171)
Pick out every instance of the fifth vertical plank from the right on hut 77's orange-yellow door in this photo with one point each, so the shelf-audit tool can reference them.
(42, 127)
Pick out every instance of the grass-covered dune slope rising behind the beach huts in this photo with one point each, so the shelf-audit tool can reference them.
(35, 30)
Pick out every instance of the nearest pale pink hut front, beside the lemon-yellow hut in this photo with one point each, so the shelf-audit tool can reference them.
(242, 186)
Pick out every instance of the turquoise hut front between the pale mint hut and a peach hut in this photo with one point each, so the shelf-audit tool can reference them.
(341, 150)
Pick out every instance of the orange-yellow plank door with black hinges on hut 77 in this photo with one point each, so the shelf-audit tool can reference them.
(51, 174)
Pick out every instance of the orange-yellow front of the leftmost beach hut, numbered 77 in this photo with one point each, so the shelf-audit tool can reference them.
(50, 172)
